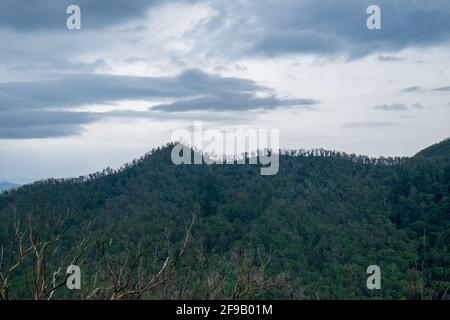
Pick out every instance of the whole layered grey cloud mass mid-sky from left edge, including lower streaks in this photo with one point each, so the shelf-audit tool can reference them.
(40, 109)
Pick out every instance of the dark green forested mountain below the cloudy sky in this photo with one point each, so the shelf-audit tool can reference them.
(154, 230)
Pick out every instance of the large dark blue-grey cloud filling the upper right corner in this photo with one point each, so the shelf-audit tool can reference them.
(328, 27)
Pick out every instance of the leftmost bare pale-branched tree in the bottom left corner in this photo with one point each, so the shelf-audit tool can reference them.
(37, 248)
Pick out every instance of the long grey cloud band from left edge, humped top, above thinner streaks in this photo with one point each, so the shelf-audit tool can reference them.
(83, 89)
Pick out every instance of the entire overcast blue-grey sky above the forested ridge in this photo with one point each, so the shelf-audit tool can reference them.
(76, 101)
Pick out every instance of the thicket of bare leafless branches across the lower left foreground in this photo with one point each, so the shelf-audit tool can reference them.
(126, 271)
